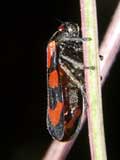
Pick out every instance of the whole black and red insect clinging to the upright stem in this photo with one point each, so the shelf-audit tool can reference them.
(67, 102)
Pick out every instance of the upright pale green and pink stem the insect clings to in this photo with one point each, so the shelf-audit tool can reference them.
(92, 80)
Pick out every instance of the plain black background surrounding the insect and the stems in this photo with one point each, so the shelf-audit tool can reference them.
(25, 29)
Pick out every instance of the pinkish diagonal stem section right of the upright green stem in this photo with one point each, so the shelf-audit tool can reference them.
(110, 44)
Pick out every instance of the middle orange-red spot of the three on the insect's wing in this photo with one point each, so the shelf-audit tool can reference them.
(53, 79)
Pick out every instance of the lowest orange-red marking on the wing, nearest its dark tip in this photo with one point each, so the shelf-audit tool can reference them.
(54, 114)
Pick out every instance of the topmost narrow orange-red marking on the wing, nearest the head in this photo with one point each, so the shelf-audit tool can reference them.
(51, 47)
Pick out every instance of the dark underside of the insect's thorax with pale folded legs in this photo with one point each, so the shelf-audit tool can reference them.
(70, 59)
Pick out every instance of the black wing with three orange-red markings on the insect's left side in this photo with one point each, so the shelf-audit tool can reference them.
(55, 118)
